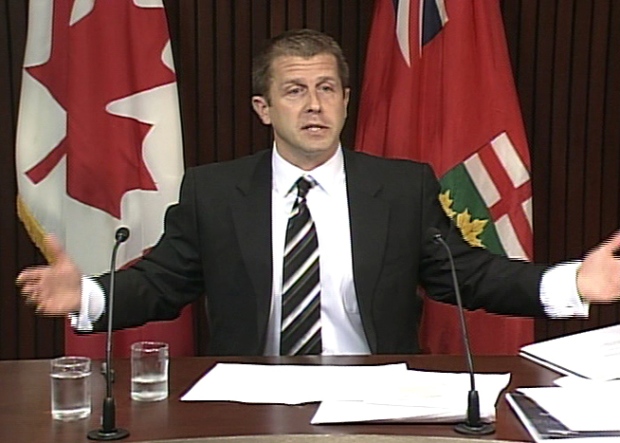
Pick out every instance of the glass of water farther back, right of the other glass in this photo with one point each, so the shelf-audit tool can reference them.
(149, 371)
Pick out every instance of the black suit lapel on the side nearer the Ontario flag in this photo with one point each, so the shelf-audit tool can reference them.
(369, 223)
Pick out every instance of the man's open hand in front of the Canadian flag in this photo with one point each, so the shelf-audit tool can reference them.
(54, 289)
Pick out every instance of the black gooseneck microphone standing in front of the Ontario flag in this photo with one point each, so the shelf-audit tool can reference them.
(472, 425)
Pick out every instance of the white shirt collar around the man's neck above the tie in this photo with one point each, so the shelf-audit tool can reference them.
(328, 175)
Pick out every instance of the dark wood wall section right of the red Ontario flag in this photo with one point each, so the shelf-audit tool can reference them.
(565, 68)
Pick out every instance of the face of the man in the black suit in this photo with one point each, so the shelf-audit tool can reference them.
(306, 107)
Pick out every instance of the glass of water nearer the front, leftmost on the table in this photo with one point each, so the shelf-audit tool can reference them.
(70, 388)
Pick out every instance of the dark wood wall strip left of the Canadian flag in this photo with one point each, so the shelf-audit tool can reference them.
(21, 334)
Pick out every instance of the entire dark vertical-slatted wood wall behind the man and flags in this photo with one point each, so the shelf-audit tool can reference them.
(567, 69)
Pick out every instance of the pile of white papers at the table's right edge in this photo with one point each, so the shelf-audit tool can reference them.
(584, 405)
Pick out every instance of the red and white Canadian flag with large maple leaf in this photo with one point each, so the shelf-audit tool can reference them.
(99, 141)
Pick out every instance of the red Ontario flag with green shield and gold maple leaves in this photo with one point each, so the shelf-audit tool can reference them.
(438, 88)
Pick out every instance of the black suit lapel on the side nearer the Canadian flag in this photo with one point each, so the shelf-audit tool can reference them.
(251, 209)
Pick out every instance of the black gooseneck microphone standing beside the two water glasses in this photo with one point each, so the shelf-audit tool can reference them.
(108, 430)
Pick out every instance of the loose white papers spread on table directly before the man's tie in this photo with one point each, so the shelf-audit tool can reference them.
(352, 393)
